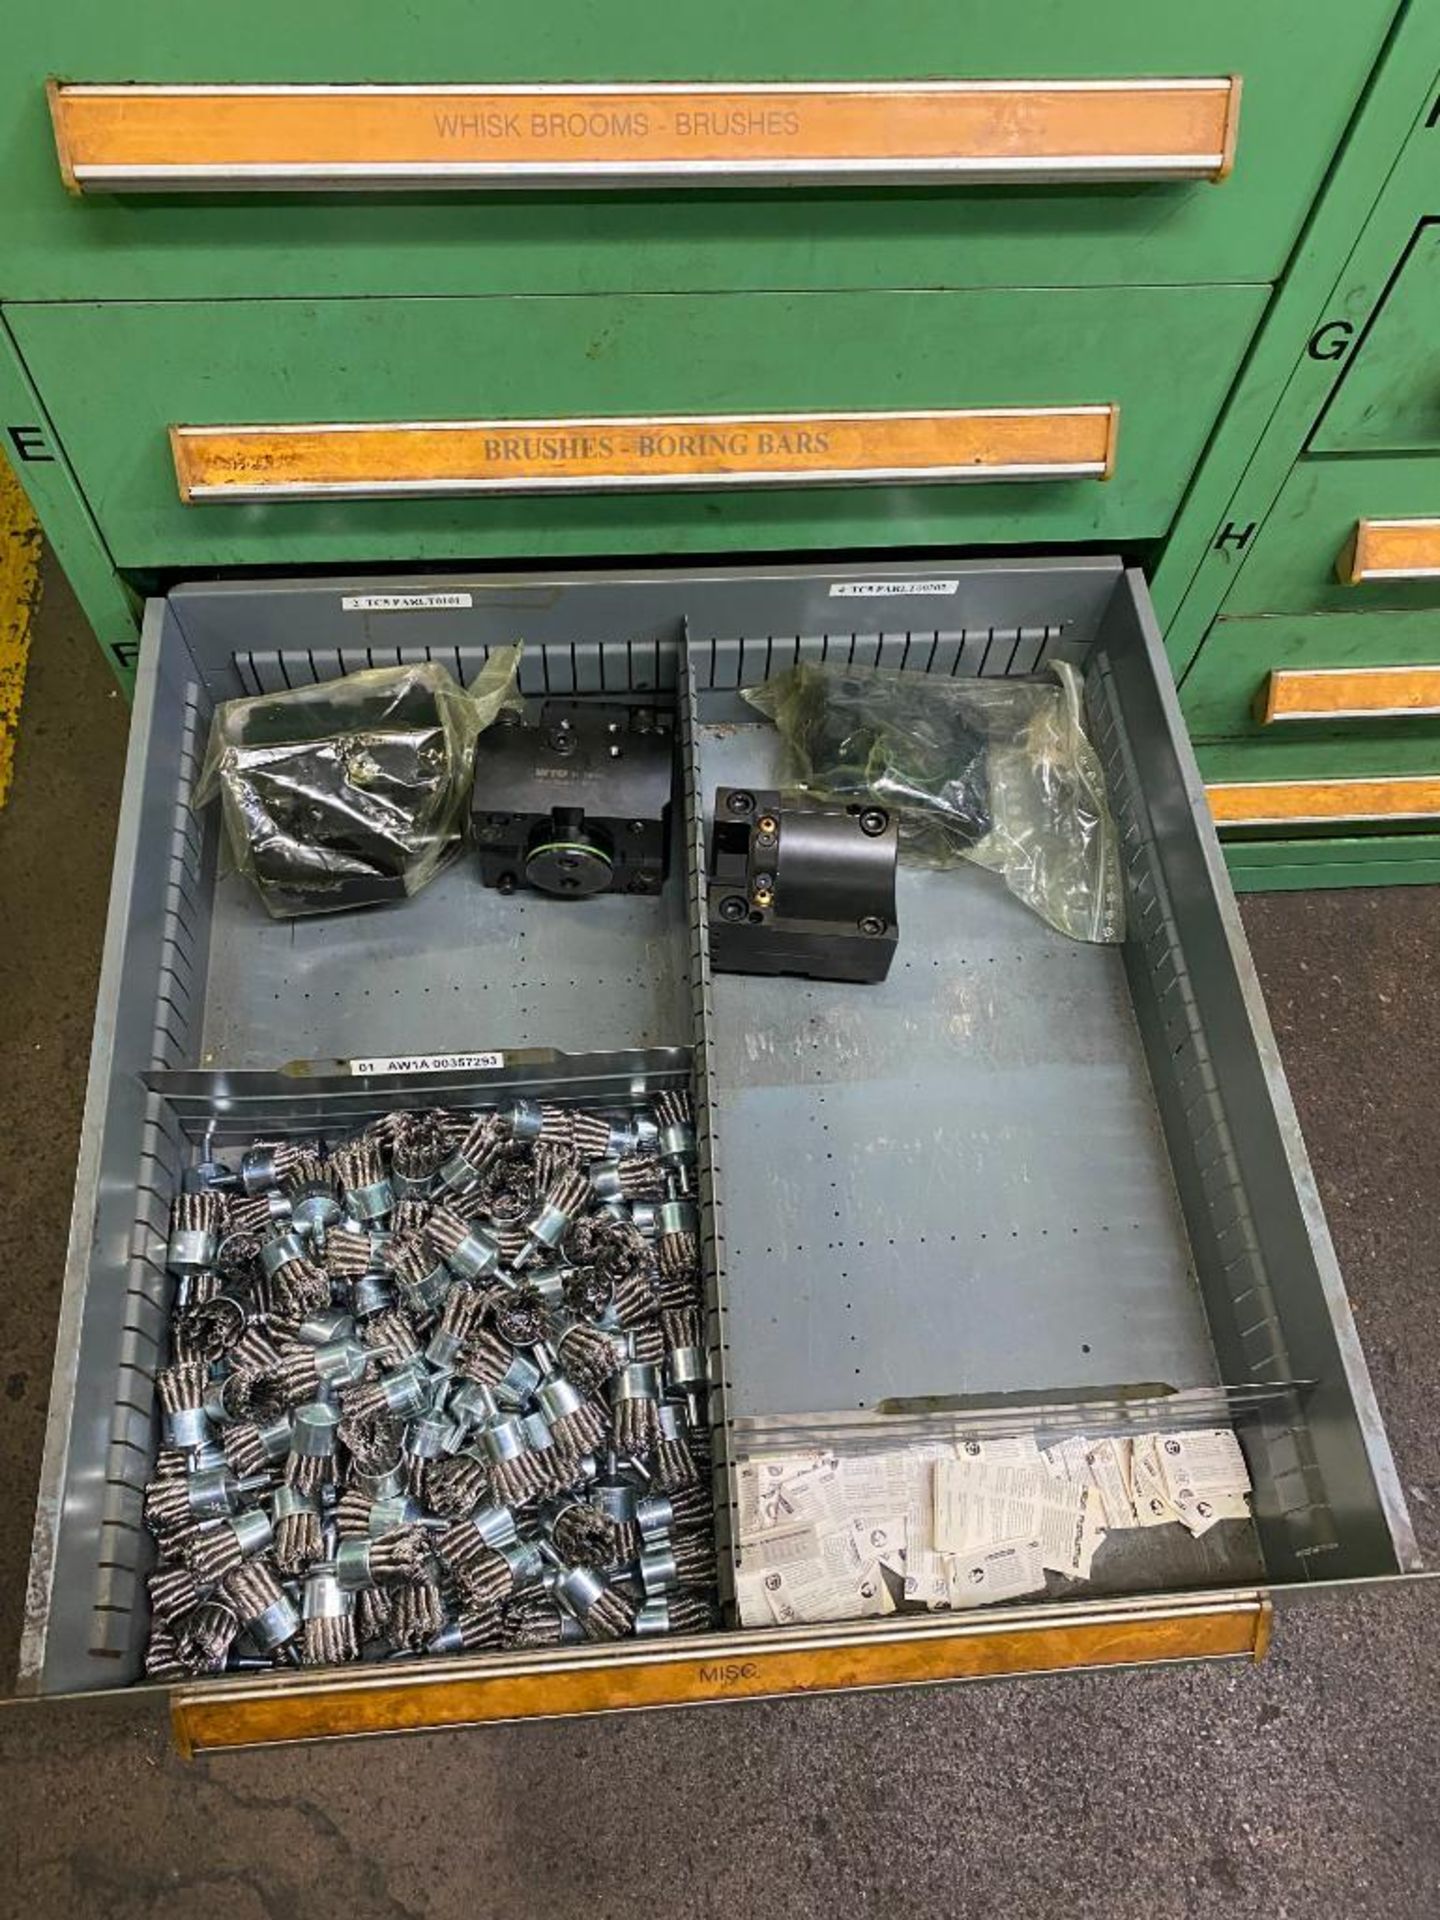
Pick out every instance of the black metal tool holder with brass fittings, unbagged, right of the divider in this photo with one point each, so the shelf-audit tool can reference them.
(802, 888)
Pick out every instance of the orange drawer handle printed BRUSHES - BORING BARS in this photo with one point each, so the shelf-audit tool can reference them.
(621, 454)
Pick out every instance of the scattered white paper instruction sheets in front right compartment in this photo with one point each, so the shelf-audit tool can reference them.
(848, 1535)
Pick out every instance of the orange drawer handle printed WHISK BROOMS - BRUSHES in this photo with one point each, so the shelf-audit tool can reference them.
(124, 139)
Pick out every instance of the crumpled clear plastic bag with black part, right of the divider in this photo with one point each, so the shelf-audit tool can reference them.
(990, 771)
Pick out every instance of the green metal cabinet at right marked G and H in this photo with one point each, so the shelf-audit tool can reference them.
(1333, 429)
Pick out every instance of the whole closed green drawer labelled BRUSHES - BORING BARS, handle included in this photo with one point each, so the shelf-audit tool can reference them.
(558, 377)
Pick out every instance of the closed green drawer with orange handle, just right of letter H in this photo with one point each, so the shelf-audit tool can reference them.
(1349, 535)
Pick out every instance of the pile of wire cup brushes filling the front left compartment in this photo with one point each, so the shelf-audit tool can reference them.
(435, 1389)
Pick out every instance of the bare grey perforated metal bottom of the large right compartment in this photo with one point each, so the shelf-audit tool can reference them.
(955, 1182)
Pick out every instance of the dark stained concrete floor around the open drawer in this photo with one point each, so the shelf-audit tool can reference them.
(1293, 1790)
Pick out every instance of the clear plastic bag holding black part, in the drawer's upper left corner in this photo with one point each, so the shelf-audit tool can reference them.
(350, 792)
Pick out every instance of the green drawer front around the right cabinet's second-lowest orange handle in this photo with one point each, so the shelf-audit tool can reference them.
(1218, 694)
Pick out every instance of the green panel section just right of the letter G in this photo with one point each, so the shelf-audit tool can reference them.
(1389, 400)
